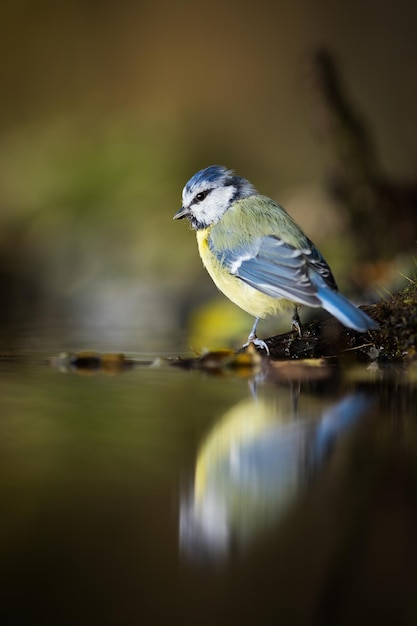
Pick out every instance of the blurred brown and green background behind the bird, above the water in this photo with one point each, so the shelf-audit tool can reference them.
(108, 108)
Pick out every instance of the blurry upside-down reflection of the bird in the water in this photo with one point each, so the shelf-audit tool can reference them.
(252, 466)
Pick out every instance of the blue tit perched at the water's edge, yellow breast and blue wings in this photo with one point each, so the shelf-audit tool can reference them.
(256, 253)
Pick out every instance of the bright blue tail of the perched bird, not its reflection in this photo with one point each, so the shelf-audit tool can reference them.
(346, 312)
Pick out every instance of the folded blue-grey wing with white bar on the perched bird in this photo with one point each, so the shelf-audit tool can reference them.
(279, 270)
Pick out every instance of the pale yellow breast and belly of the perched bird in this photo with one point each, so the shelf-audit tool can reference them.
(246, 297)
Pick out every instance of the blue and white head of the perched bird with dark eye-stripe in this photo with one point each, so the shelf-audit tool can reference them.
(209, 193)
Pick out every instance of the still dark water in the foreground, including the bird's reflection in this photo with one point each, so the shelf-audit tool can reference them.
(159, 496)
